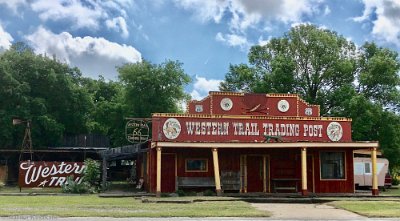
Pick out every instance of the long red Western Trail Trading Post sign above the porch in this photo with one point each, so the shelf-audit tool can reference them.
(190, 129)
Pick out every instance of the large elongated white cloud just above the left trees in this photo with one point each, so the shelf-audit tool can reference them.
(93, 56)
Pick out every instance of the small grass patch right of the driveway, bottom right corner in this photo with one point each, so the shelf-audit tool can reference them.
(371, 208)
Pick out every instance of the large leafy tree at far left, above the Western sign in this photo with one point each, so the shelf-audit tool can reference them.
(44, 90)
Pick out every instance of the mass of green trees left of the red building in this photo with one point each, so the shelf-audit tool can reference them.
(60, 102)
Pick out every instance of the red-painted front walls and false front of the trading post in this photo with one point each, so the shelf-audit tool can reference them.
(260, 116)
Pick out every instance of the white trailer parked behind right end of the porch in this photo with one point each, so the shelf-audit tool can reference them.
(363, 172)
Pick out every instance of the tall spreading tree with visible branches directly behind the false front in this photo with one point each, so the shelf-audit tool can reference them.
(307, 60)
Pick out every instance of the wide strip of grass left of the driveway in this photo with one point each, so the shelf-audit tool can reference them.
(94, 206)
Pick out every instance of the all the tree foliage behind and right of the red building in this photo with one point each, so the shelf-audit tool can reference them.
(326, 69)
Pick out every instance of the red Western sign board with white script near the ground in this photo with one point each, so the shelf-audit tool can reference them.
(49, 174)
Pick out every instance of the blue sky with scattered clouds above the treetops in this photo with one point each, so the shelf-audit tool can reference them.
(205, 35)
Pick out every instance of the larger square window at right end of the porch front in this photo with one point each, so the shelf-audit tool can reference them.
(332, 165)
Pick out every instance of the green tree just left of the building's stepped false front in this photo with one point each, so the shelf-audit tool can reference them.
(151, 88)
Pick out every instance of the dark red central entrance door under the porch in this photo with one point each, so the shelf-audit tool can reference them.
(255, 173)
